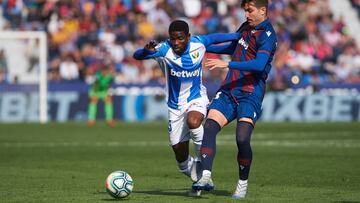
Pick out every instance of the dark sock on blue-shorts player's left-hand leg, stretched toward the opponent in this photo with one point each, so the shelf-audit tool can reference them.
(208, 148)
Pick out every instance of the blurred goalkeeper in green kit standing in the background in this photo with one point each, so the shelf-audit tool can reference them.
(99, 90)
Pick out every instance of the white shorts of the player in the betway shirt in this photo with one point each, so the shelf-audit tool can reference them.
(177, 126)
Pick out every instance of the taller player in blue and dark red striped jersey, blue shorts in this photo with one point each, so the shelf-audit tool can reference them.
(241, 94)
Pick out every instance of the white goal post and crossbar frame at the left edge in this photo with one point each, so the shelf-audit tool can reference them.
(42, 63)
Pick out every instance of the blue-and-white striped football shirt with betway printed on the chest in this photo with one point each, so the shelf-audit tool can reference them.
(183, 73)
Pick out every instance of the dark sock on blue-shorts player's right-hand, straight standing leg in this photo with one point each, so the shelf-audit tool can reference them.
(244, 157)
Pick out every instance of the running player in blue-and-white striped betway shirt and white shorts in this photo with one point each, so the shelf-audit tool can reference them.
(180, 58)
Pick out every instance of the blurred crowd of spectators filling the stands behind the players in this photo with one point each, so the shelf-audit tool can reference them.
(83, 35)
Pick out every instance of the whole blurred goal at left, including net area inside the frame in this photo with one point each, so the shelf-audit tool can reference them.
(23, 70)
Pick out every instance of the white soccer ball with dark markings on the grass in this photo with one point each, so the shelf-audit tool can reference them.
(119, 184)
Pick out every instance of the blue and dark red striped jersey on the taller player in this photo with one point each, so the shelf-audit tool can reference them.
(254, 45)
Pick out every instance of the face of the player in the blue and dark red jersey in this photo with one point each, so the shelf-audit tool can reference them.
(253, 14)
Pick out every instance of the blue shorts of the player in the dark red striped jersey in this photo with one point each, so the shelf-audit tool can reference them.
(246, 105)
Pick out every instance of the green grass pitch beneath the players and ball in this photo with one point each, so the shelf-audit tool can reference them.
(297, 162)
